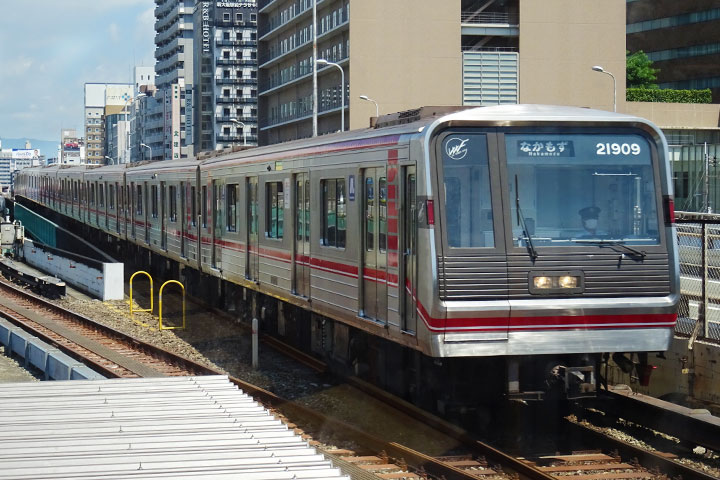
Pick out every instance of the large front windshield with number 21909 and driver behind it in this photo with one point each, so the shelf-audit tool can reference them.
(579, 189)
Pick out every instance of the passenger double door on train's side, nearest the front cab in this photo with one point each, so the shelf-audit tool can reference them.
(374, 271)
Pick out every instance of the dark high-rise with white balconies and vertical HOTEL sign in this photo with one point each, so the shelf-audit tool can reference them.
(225, 89)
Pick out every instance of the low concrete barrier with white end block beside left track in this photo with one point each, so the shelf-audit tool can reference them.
(100, 279)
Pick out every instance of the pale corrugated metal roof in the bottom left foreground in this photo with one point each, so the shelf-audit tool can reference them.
(177, 427)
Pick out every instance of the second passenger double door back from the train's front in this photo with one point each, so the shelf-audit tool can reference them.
(302, 235)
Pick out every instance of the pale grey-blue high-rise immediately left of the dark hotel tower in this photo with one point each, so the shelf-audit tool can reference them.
(168, 119)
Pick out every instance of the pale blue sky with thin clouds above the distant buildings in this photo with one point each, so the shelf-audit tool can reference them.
(50, 48)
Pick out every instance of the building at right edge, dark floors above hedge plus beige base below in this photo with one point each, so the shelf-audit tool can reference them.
(683, 41)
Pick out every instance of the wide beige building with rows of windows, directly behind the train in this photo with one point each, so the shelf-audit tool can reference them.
(407, 53)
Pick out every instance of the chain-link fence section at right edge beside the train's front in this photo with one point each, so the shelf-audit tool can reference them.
(699, 245)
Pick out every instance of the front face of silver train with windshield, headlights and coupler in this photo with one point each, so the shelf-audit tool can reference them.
(553, 244)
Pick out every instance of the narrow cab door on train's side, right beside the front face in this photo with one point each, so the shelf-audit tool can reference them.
(409, 251)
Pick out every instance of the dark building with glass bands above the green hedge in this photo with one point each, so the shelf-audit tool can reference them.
(681, 38)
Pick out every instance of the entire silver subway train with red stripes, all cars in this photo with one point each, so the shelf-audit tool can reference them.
(443, 253)
